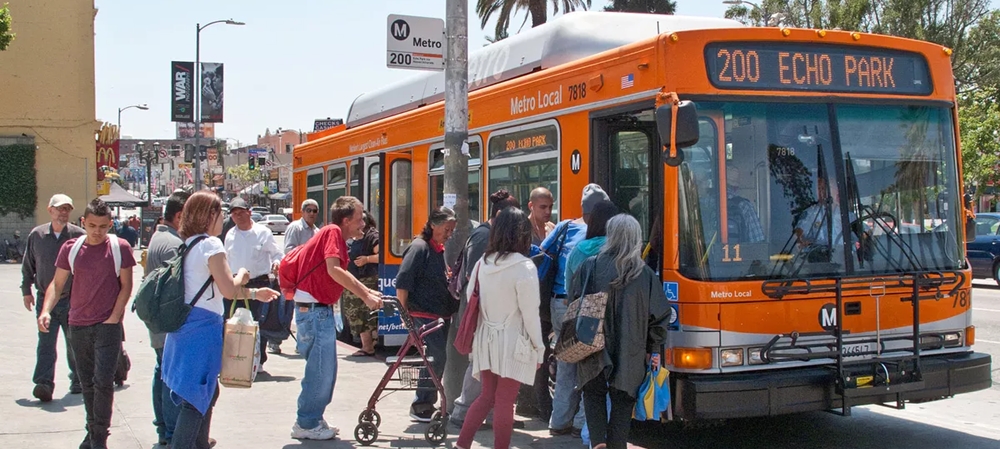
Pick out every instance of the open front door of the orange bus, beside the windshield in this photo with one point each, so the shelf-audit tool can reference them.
(626, 161)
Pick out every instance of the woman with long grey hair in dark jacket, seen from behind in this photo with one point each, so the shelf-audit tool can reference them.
(635, 329)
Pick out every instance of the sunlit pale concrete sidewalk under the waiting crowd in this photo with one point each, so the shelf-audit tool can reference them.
(259, 417)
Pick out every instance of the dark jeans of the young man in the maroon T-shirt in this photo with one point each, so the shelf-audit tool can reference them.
(97, 348)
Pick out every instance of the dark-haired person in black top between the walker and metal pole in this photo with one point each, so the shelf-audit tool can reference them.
(422, 287)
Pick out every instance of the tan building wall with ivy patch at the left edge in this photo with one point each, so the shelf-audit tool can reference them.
(48, 103)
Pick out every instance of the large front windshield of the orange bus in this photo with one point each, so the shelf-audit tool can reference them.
(792, 191)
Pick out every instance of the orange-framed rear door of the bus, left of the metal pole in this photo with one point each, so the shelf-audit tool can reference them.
(391, 201)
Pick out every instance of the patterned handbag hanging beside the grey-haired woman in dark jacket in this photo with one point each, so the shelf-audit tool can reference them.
(583, 327)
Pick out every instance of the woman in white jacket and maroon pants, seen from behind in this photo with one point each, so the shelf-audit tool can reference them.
(507, 347)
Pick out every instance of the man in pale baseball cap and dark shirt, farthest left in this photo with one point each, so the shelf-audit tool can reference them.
(38, 269)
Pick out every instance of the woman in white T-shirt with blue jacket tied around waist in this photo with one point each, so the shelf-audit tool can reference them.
(193, 353)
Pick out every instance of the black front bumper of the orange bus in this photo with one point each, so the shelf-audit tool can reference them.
(766, 393)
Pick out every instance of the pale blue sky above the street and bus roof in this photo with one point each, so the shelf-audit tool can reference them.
(293, 62)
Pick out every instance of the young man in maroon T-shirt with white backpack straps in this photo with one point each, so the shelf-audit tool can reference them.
(102, 283)
